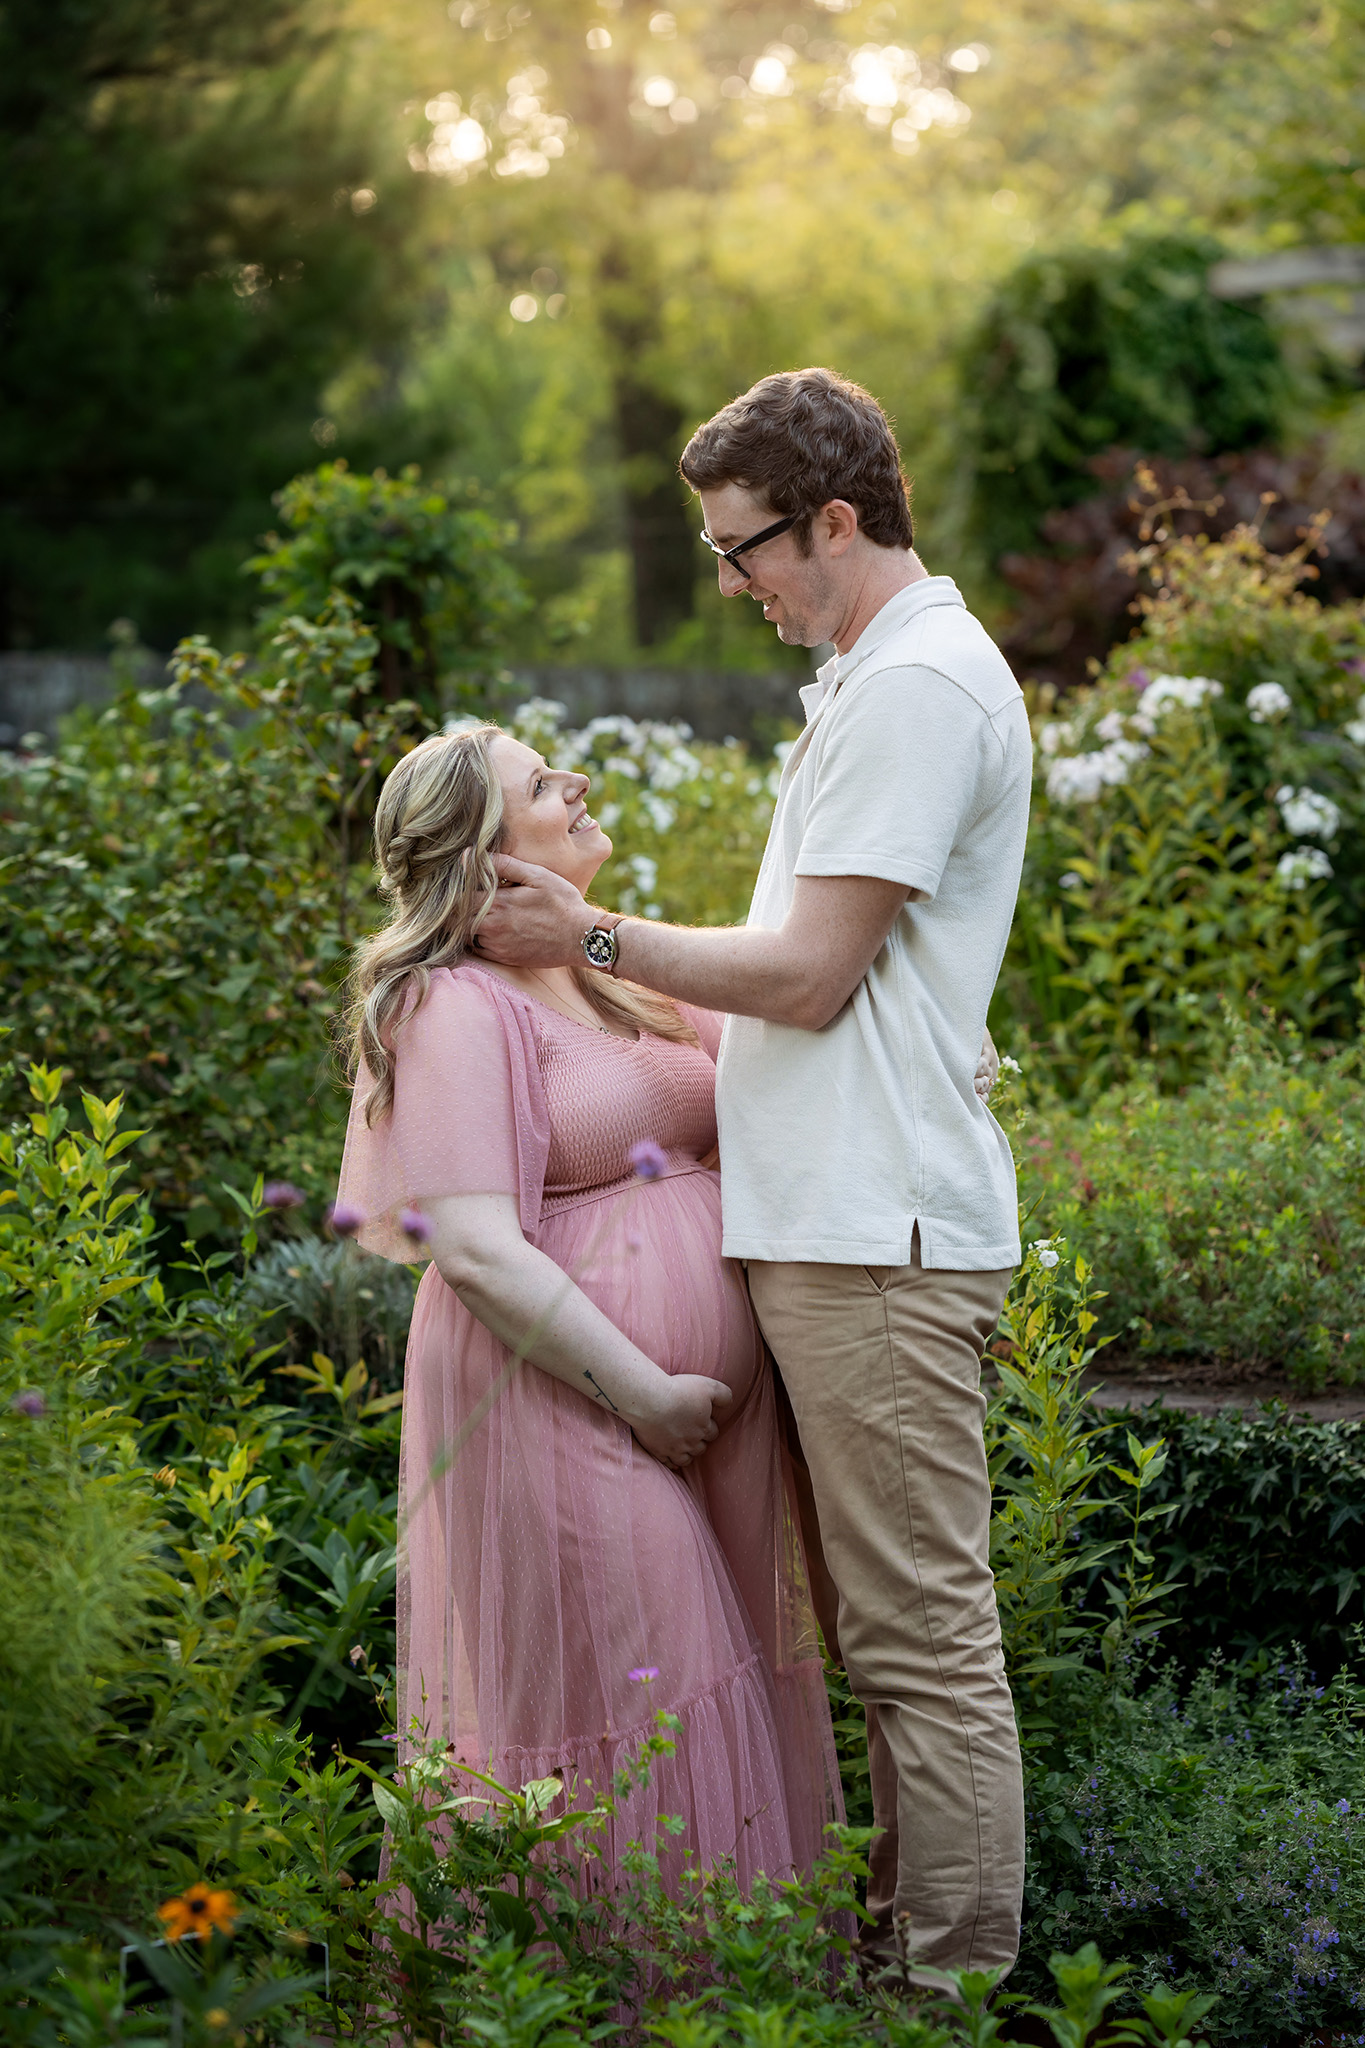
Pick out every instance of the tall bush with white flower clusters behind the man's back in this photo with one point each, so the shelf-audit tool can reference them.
(1163, 871)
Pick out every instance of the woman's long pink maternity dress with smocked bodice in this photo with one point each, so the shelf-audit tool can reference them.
(545, 1555)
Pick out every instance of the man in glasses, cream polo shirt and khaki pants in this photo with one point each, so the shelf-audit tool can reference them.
(867, 1187)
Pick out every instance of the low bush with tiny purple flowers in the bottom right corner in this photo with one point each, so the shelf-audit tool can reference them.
(1215, 1838)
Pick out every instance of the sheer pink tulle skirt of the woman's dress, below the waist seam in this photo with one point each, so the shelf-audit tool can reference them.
(547, 1560)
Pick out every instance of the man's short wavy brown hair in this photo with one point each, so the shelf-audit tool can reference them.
(801, 439)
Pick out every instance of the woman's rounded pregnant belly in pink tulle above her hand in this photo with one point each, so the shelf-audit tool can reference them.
(650, 1258)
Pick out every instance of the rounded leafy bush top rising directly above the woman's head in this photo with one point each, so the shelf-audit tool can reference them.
(429, 579)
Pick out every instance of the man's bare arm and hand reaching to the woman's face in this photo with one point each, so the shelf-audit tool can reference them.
(801, 974)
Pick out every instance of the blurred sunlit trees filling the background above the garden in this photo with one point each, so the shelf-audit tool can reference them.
(533, 243)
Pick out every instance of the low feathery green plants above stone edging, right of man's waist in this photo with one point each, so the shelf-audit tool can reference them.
(1229, 1222)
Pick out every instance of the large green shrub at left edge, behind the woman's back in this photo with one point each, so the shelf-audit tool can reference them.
(181, 894)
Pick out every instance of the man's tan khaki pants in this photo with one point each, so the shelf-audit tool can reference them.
(883, 1369)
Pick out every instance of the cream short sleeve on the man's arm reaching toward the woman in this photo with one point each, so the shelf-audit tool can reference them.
(906, 769)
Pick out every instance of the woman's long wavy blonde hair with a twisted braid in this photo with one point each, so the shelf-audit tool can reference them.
(437, 828)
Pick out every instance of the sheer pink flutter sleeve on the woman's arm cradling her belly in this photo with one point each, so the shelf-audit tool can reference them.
(468, 1115)
